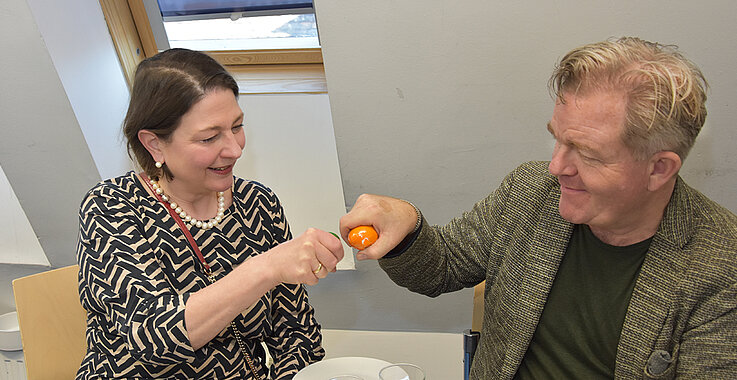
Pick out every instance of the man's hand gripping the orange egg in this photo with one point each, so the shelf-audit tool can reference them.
(392, 218)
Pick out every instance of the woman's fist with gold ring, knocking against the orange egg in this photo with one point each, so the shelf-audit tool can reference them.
(305, 259)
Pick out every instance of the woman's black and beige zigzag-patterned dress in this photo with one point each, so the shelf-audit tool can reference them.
(137, 272)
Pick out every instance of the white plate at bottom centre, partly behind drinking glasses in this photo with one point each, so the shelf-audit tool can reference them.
(366, 368)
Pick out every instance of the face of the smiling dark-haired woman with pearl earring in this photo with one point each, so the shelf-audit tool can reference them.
(208, 141)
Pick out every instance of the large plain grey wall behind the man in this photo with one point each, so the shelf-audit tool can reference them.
(435, 101)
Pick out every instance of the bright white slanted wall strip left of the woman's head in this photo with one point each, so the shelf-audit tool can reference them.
(80, 46)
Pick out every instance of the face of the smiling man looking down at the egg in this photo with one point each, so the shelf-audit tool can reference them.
(601, 183)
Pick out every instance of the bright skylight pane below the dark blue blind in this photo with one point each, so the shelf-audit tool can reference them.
(261, 32)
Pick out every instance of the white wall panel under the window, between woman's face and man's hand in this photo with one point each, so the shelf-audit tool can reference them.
(290, 147)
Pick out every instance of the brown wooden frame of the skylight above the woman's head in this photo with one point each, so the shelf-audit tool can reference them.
(134, 41)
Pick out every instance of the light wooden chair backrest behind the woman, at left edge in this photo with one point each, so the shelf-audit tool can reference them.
(52, 323)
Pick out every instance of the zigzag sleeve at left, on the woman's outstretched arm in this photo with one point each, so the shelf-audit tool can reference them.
(122, 285)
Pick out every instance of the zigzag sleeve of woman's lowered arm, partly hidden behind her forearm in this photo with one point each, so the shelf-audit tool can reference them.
(296, 339)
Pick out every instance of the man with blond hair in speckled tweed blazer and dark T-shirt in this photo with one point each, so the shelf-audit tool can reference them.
(601, 263)
